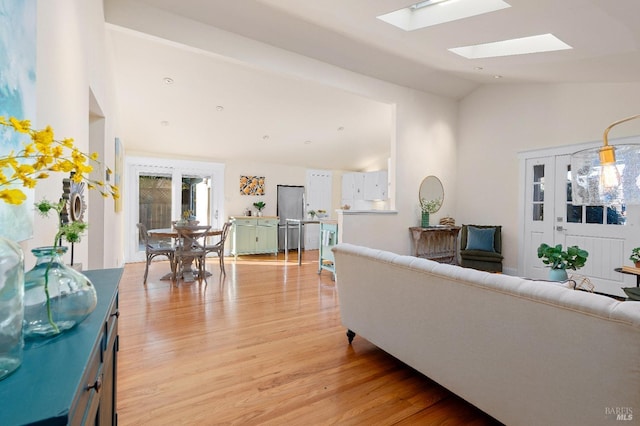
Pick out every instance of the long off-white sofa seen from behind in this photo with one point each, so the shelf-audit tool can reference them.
(525, 352)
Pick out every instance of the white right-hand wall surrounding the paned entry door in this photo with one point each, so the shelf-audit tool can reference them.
(497, 122)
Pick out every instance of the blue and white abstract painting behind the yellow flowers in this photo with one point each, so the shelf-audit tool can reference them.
(17, 99)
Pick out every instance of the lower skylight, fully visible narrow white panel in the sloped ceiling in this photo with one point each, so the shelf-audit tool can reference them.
(517, 46)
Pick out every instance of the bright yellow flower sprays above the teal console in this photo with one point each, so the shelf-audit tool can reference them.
(42, 155)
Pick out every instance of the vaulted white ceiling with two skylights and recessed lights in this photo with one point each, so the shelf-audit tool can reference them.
(603, 33)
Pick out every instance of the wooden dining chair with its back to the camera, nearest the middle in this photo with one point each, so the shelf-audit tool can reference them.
(190, 248)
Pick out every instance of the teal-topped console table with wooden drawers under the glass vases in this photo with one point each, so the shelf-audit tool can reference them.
(69, 379)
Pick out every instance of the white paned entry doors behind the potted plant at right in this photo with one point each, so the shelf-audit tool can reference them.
(606, 232)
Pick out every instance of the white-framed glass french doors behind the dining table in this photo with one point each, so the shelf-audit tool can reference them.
(160, 192)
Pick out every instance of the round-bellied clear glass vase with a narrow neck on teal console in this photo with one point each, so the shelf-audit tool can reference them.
(56, 297)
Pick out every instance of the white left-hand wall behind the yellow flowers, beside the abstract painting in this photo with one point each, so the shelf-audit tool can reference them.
(71, 59)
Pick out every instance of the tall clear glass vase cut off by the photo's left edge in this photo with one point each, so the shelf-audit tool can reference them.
(11, 306)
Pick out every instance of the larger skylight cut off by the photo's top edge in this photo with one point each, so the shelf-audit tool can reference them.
(433, 12)
